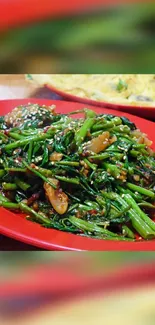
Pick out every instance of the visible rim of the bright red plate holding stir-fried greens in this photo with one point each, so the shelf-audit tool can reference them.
(17, 227)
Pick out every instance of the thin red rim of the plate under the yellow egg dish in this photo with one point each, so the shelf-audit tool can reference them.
(142, 111)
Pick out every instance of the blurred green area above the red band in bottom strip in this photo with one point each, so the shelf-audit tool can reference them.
(84, 263)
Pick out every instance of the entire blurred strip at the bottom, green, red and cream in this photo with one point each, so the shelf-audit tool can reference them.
(60, 287)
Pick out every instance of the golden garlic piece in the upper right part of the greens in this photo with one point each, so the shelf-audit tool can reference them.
(99, 143)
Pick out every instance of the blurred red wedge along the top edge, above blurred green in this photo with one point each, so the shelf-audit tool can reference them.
(17, 12)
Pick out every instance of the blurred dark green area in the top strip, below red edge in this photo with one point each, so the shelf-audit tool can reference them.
(116, 40)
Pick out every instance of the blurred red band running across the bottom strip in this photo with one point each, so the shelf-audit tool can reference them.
(71, 281)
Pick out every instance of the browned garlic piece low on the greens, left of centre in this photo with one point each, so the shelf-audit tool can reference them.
(57, 198)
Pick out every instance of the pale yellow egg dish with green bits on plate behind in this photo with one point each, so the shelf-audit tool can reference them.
(129, 89)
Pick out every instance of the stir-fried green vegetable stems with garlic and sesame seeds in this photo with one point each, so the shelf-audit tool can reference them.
(93, 176)
